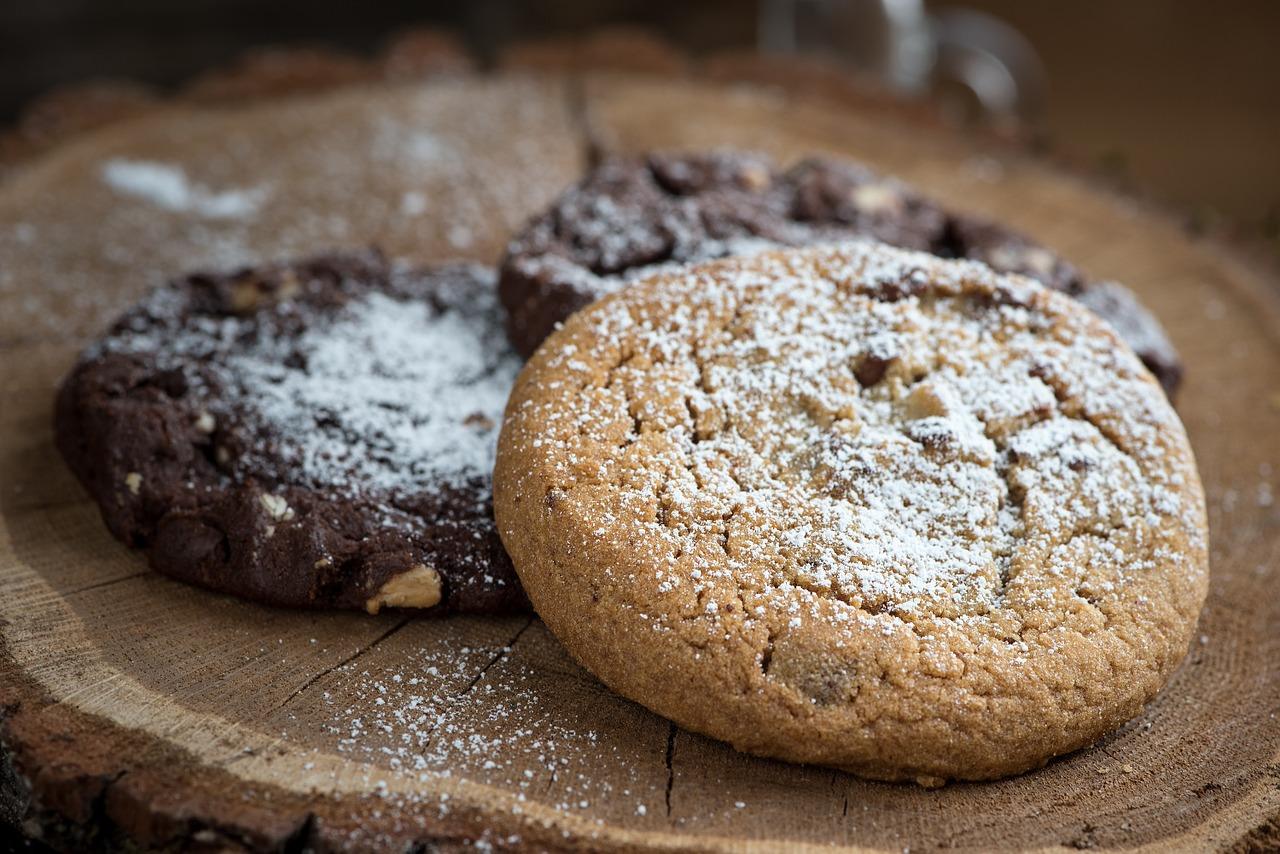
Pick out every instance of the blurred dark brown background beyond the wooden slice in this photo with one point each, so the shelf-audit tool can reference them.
(1177, 98)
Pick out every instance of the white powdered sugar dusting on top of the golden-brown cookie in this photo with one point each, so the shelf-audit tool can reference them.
(876, 430)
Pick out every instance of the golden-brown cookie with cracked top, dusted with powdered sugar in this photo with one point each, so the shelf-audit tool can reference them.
(857, 506)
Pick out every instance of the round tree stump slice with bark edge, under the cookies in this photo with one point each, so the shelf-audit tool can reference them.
(138, 711)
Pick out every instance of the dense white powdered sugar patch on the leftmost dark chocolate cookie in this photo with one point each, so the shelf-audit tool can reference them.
(394, 394)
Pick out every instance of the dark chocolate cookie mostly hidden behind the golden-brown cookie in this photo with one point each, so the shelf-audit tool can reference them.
(632, 216)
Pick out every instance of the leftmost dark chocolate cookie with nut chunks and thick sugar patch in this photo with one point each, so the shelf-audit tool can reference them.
(318, 433)
